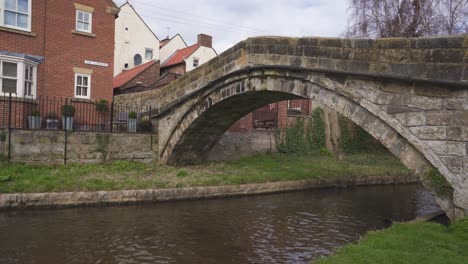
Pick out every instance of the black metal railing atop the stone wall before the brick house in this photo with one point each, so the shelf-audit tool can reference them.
(58, 113)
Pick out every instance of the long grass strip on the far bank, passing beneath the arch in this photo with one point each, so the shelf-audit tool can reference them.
(131, 175)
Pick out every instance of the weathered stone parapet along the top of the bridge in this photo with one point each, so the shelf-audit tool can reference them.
(434, 59)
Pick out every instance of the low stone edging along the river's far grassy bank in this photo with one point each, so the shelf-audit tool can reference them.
(96, 198)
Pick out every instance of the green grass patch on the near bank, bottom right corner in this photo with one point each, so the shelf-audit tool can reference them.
(420, 242)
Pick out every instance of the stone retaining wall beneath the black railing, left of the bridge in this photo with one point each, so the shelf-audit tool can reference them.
(48, 147)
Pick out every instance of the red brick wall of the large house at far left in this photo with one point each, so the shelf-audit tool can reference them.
(52, 22)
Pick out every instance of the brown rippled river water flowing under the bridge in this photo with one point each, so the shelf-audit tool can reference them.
(294, 227)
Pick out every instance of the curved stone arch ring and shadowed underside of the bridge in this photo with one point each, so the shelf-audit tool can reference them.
(216, 111)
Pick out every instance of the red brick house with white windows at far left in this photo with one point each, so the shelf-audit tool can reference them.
(57, 48)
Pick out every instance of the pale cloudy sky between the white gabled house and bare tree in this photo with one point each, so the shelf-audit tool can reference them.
(232, 21)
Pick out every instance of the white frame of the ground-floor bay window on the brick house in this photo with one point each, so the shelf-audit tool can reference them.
(21, 65)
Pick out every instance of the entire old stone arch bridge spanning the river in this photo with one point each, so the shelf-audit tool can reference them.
(410, 94)
